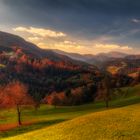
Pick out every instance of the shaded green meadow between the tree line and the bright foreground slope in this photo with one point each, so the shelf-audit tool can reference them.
(48, 115)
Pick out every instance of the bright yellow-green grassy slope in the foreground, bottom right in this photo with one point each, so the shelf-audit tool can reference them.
(122, 123)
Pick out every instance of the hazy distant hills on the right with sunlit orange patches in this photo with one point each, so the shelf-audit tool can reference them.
(113, 62)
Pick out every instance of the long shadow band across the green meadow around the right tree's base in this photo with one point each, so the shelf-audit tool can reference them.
(97, 106)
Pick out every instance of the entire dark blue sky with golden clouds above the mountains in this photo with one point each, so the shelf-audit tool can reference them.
(79, 26)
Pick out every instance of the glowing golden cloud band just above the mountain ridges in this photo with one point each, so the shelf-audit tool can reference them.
(49, 39)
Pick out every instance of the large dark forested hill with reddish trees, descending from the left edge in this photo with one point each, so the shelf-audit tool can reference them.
(43, 71)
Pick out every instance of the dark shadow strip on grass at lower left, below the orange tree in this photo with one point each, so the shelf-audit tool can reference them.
(28, 128)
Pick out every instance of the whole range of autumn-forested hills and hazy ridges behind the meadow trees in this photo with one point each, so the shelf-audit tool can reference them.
(47, 71)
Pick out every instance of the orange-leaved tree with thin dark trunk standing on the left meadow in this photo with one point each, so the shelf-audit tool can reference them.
(15, 95)
